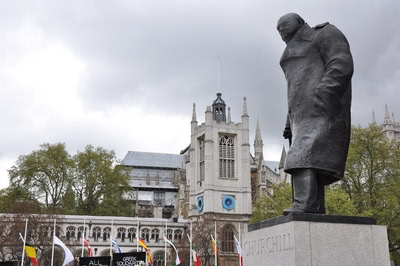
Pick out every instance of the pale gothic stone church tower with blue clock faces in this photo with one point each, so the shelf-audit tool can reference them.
(218, 173)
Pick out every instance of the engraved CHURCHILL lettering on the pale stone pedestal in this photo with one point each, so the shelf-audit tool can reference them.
(269, 244)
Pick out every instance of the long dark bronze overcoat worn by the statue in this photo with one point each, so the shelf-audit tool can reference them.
(318, 67)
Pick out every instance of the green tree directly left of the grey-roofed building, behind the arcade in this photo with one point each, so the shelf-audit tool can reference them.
(99, 185)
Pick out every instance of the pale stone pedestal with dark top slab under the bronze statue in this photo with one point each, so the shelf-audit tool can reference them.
(316, 240)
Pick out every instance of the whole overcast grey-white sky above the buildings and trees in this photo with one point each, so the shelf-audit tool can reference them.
(124, 74)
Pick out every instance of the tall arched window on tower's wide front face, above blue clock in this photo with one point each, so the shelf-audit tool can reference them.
(226, 157)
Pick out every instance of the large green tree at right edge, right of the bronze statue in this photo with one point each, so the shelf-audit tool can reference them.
(372, 180)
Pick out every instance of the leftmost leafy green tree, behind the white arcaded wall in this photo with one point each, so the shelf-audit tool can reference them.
(44, 173)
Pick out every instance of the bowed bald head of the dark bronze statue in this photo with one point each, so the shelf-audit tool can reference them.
(288, 25)
